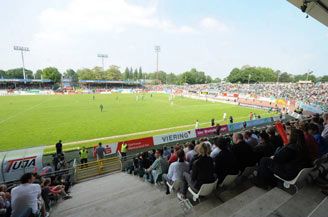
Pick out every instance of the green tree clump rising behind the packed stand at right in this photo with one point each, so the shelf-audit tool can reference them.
(262, 74)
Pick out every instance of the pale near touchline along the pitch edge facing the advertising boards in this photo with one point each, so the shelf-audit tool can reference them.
(138, 133)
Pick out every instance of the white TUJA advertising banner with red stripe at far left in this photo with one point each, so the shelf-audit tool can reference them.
(17, 162)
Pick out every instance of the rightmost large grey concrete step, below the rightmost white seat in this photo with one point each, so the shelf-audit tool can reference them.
(301, 204)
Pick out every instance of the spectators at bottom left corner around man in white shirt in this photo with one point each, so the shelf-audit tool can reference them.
(33, 196)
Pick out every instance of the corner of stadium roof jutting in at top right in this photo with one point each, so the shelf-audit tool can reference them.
(318, 9)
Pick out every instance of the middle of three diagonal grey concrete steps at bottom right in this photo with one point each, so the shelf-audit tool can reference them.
(264, 205)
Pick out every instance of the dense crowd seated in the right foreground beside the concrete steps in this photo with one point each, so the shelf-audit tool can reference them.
(204, 161)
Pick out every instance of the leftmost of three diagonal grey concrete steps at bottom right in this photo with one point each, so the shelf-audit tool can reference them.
(236, 203)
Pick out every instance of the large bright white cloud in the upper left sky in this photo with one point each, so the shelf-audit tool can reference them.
(83, 16)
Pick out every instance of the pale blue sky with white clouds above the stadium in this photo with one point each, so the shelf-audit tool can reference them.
(211, 36)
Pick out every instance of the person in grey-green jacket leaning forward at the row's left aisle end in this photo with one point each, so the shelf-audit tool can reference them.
(159, 166)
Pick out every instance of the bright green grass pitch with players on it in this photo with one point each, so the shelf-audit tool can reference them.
(42, 120)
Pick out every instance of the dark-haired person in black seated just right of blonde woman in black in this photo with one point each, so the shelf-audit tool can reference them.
(225, 162)
